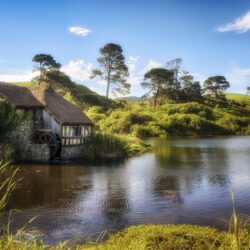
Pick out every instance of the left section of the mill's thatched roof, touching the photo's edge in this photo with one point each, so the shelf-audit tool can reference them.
(19, 97)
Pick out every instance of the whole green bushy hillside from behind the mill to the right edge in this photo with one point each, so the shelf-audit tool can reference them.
(140, 120)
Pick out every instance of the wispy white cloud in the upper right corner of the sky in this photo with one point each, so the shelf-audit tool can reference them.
(241, 24)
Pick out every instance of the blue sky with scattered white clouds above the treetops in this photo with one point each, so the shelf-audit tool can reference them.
(212, 37)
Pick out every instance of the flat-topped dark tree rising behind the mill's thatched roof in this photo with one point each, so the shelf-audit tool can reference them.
(45, 63)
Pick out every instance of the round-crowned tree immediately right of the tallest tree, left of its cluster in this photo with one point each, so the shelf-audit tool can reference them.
(158, 81)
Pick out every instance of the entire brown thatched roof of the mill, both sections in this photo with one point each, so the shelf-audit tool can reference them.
(63, 111)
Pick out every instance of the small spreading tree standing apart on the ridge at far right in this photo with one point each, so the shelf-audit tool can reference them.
(216, 85)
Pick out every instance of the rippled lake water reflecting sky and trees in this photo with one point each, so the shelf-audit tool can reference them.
(183, 181)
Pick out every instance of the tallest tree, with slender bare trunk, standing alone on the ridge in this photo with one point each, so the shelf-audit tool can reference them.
(113, 68)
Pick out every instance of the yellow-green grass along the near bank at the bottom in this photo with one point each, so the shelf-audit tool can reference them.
(160, 237)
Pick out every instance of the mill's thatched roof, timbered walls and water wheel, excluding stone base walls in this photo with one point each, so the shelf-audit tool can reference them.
(58, 123)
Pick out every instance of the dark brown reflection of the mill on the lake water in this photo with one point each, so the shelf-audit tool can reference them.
(49, 186)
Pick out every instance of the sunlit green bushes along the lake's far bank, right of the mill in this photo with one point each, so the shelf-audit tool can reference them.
(196, 119)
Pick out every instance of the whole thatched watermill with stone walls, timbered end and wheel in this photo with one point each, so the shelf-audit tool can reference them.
(56, 129)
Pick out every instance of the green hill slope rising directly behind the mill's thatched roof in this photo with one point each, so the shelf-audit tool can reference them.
(78, 93)
